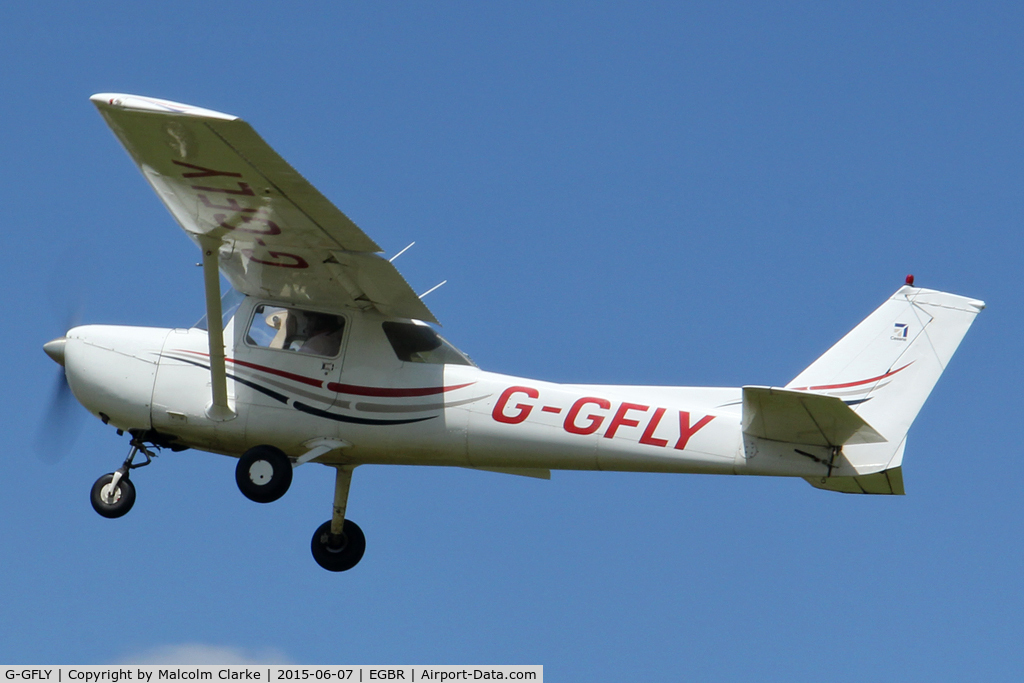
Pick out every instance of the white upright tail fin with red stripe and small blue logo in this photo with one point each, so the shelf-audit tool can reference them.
(886, 367)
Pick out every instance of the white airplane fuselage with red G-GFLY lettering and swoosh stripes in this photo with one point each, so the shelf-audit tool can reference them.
(392, 411)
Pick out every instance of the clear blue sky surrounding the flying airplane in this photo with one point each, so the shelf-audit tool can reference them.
(709, 194)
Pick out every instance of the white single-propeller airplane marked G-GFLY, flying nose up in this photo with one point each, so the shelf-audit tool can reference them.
(321, 353)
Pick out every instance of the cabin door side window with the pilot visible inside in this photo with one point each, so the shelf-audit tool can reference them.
(295, 330)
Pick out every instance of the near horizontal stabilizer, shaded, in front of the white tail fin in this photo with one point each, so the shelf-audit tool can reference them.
(799, 417)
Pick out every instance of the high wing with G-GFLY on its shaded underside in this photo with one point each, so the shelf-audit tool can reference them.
(278, 236)
